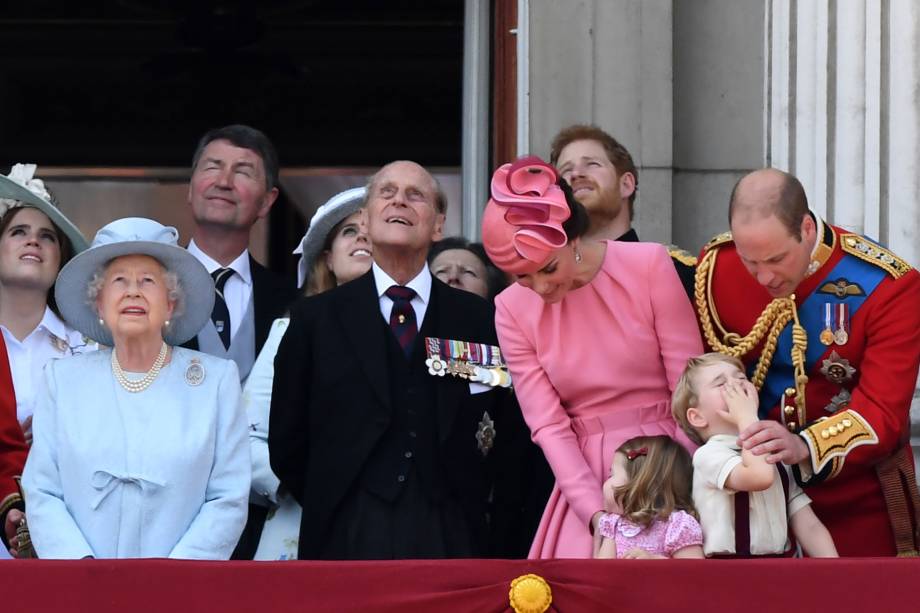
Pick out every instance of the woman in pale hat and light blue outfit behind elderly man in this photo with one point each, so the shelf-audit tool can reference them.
(334, 250)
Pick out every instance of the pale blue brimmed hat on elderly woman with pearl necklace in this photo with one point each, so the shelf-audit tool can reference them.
(135, 236)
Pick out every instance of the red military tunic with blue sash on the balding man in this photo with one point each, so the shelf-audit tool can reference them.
(858, 392)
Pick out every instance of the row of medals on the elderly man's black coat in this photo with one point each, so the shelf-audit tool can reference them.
(473, 361)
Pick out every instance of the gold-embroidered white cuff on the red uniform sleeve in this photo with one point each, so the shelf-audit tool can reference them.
(831, 439)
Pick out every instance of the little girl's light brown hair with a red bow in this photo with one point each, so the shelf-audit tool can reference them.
(659, 481)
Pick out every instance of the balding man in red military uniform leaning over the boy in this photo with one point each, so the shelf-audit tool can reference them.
(829, 324)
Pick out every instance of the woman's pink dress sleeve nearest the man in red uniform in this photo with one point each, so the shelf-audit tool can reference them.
(675, 324)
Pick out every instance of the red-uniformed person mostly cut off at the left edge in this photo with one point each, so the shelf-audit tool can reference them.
(13, 452)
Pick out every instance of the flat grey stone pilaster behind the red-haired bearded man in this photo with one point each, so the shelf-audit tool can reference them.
(606, 62)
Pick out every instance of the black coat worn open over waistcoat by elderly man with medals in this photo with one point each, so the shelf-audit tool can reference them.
(331, 403)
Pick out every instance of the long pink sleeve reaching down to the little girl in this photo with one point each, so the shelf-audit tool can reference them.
(549, 423)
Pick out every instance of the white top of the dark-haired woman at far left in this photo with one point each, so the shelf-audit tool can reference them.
(51, 339)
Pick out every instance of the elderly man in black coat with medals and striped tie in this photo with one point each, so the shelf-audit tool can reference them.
(388, 459)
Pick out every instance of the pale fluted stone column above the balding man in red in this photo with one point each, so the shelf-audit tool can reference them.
(843, 87)
